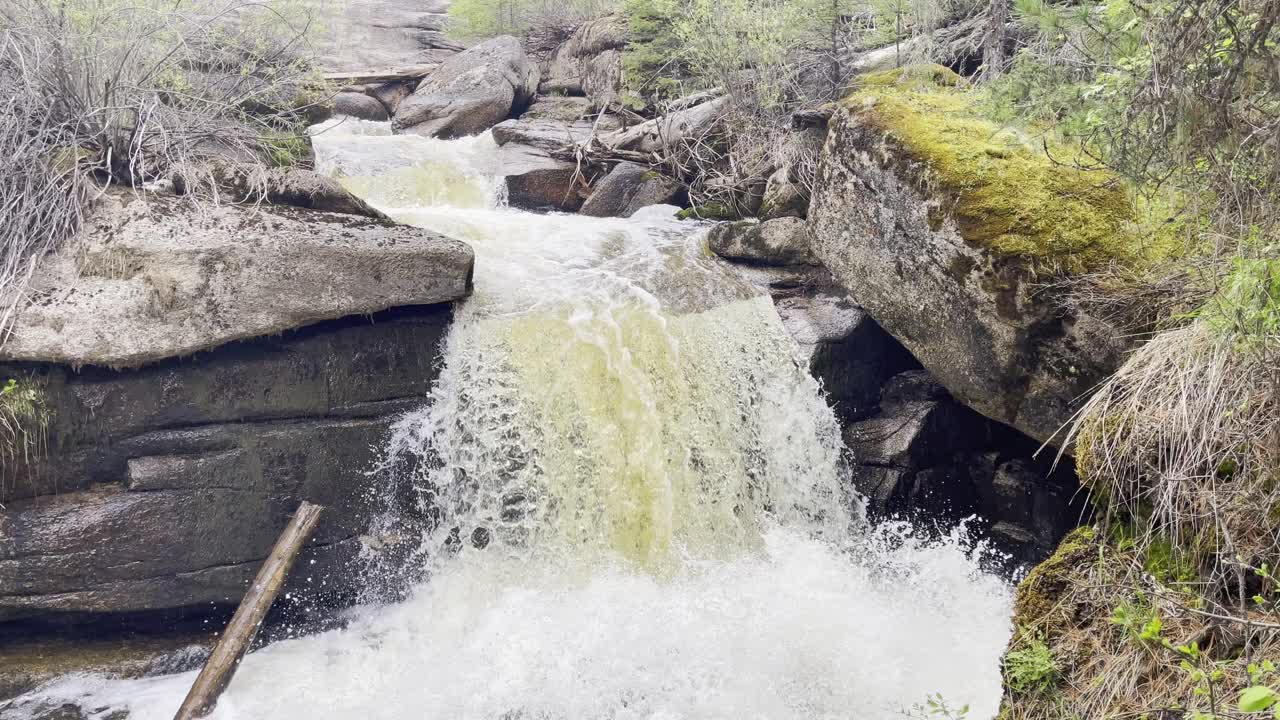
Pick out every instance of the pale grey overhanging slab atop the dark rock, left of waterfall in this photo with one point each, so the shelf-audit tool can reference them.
(163, 279)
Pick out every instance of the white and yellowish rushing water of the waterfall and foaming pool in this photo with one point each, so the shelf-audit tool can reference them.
(637, 502)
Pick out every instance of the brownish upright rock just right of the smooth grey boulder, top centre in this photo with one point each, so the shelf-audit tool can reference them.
(591, 62)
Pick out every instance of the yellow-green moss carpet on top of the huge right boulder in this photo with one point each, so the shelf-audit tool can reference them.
(1004, 190)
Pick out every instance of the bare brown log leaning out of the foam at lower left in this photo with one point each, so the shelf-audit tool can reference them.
(240, 632)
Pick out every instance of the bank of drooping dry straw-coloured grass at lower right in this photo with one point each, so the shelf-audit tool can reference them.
(1169, 605)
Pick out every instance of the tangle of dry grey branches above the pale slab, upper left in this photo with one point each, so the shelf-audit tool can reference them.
(113, 92)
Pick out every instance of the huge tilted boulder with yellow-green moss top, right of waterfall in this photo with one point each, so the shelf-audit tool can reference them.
(948, 229)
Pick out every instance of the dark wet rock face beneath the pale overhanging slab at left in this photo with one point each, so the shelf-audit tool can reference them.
(166, 487)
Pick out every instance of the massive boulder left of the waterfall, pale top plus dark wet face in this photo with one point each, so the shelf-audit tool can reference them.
(191, 375)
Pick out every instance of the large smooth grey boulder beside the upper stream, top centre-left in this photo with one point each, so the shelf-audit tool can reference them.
(472, 92)
